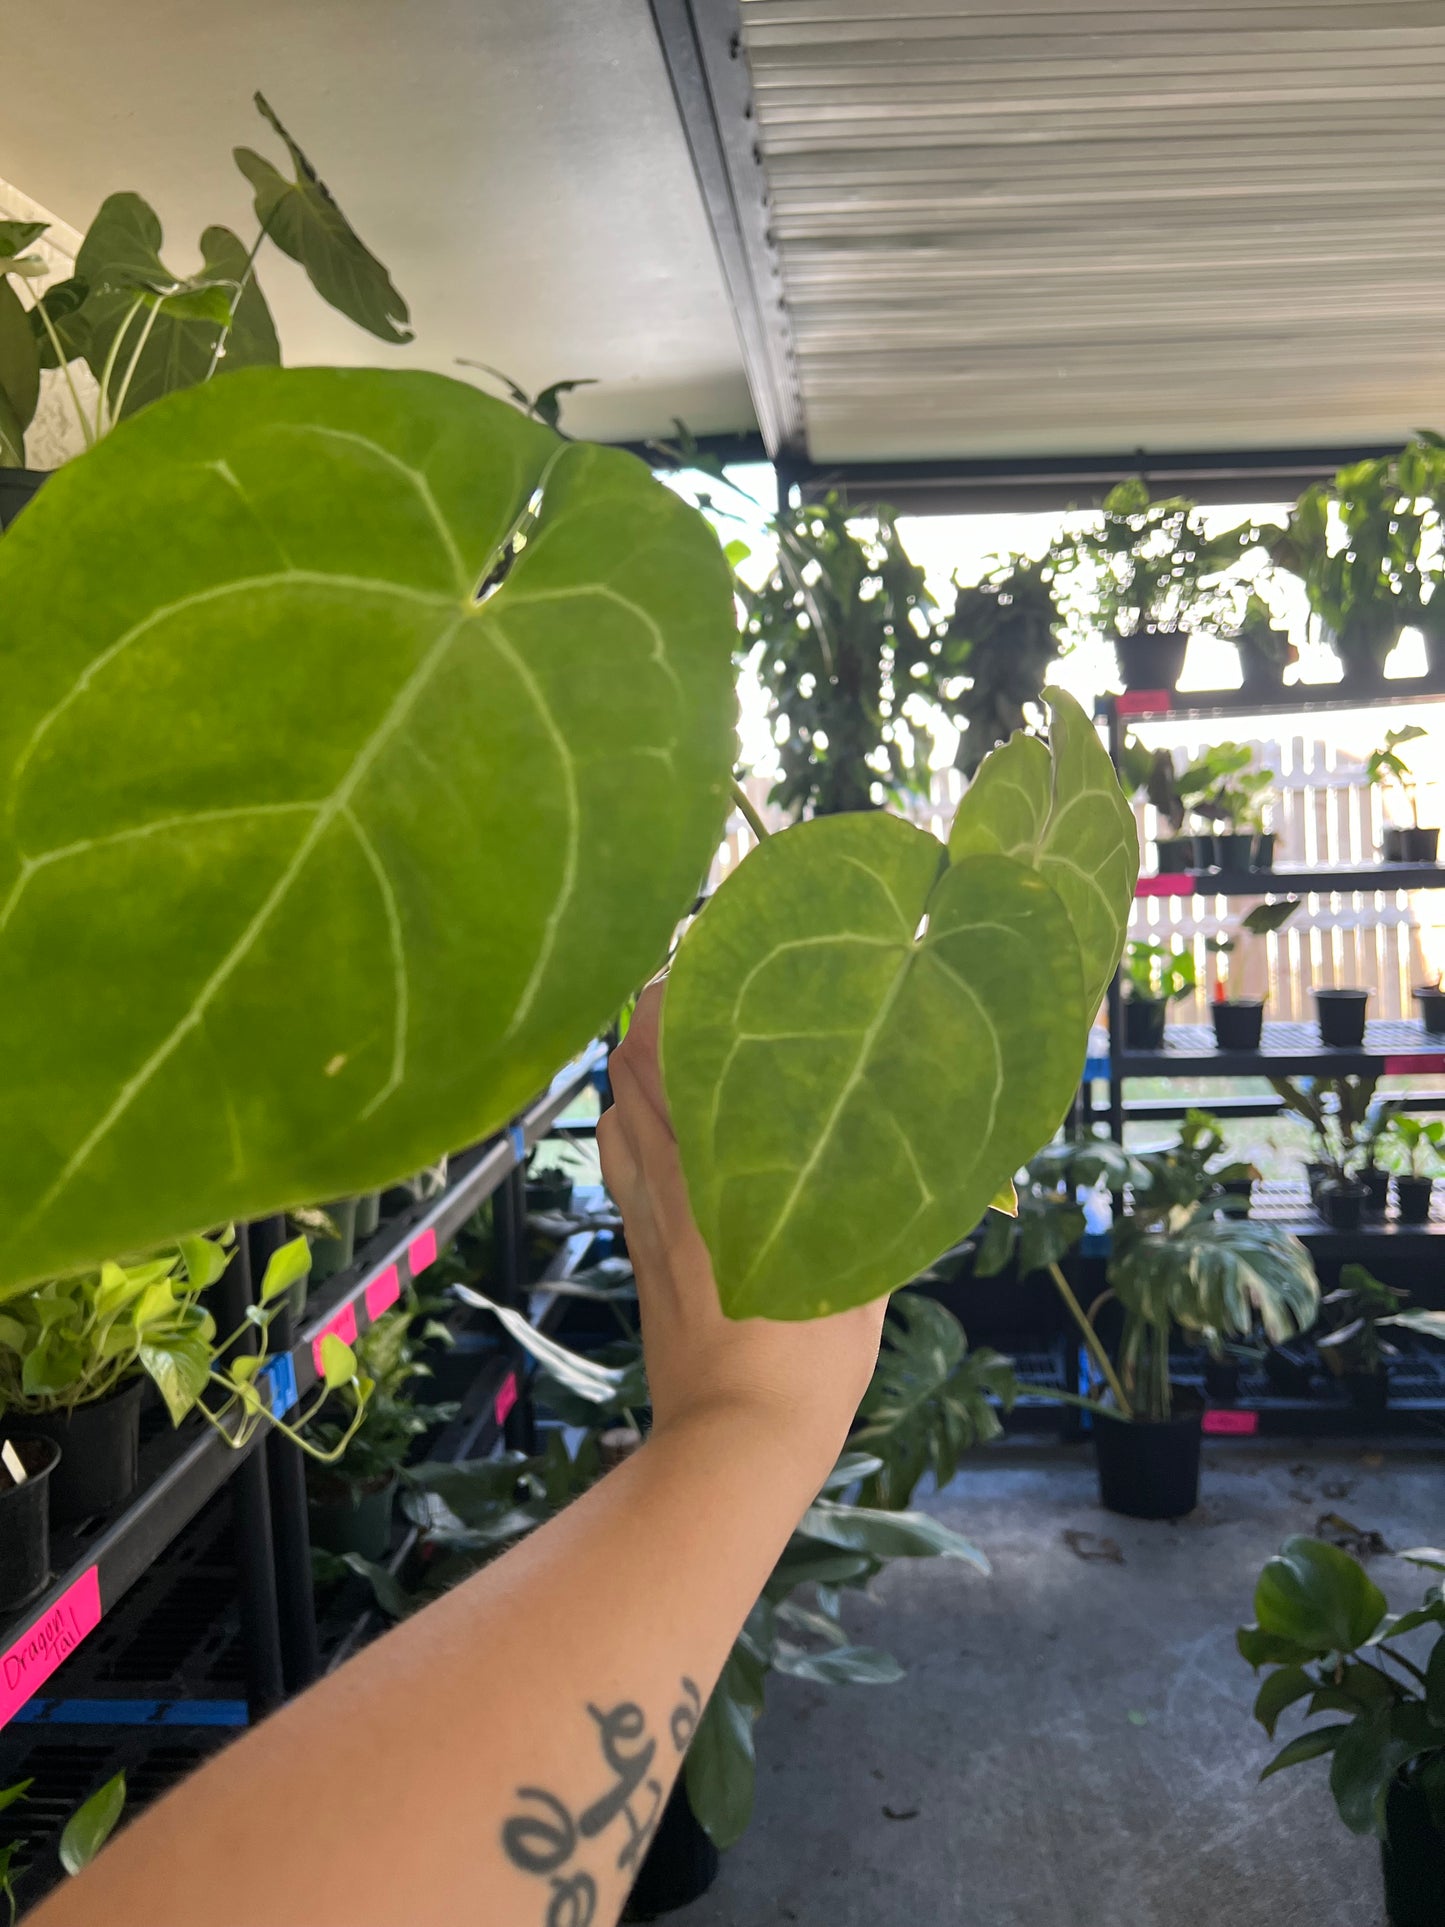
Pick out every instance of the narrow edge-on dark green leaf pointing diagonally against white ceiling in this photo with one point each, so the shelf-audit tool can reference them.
(305, 223)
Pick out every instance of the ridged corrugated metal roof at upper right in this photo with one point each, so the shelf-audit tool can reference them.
(1063, 228)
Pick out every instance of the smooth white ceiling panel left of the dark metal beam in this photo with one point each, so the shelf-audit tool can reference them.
(517, 165)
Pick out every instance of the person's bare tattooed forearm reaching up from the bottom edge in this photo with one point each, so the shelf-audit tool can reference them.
(502, 1758)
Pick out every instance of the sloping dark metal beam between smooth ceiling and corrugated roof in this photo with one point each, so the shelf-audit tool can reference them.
(702, 47)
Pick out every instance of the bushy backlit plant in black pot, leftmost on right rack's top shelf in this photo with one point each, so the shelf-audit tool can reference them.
(1143, 573)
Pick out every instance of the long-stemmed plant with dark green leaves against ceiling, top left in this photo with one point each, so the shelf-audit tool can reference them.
(145, 332)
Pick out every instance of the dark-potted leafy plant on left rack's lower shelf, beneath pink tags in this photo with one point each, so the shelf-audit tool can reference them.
(352, 1496)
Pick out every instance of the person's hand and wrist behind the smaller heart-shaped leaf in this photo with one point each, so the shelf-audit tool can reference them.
(806, 1379)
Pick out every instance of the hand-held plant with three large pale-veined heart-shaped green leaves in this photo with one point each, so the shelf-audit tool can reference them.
(263, 941)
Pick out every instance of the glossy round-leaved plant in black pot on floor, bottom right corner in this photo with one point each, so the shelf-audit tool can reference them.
(1325, 1637)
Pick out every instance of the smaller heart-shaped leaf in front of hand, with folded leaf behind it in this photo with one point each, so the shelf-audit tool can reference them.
(866, 1034)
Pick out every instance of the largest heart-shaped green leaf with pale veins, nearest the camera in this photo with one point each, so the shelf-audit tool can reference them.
(313, 864)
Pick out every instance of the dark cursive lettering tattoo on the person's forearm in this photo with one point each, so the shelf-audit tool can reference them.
(546, 1839)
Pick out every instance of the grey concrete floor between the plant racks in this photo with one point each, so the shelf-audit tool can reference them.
(1074, 1741)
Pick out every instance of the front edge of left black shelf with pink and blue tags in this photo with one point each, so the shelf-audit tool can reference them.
(182, 1471)
